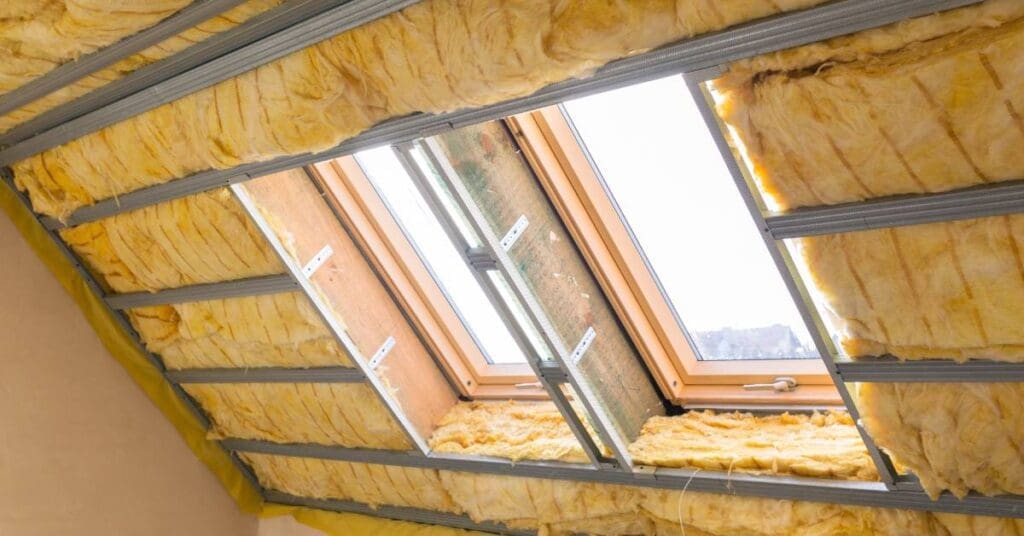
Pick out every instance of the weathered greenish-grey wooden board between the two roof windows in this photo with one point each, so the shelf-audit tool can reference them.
(489, 163)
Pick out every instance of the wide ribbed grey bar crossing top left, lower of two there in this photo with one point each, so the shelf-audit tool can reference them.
(296, 37)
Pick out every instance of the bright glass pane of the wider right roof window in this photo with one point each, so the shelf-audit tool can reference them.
(663, 169)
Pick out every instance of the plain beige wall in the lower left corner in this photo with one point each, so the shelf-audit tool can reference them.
(82, 450)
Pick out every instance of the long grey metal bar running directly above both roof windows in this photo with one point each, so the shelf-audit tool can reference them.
(776, 33)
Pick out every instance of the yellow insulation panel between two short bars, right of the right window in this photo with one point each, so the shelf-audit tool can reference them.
(940, 291)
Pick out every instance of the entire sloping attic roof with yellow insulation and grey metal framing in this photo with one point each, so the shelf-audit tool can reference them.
(208, 215)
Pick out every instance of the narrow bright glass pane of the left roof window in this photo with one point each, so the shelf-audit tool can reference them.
(438, 252)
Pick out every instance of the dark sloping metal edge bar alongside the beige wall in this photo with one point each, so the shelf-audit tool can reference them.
(8, 178)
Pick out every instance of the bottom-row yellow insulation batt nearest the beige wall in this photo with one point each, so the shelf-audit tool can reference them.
(368, 484)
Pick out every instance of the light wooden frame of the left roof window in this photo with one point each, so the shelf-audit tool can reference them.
(363, 212)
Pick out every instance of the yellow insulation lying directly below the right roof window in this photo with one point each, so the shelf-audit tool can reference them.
(819, 445)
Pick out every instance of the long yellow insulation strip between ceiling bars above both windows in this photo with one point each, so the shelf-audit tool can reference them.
(436, 56)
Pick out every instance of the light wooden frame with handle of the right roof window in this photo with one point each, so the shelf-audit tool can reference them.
(575, 189)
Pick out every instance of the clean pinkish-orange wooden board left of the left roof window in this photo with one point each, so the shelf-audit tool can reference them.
(307, 224)
